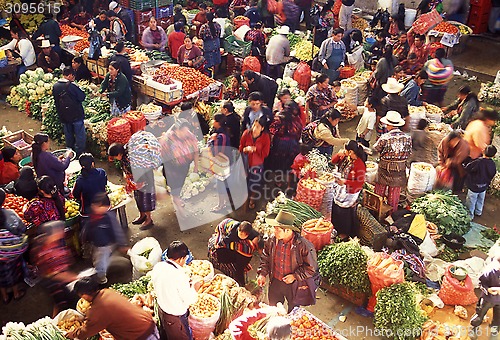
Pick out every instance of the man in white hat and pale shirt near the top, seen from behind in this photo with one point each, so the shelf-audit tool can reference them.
(278, 52)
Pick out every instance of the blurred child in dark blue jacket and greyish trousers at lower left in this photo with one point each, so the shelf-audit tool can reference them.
(104, 232)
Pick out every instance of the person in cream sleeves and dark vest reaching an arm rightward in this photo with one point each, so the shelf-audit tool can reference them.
(327, 133)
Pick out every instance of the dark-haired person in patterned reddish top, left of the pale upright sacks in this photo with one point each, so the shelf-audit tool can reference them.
(320, 98)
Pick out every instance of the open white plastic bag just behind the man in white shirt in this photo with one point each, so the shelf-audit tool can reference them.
(142, 265)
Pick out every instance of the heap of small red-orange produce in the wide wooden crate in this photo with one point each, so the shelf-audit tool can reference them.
(191, 79)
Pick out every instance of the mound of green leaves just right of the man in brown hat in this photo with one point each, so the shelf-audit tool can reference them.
(345, 264)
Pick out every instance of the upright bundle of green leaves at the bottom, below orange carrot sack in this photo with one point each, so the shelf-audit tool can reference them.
(397, 312)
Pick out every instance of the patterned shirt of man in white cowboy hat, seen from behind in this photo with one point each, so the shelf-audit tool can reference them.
(394, 146)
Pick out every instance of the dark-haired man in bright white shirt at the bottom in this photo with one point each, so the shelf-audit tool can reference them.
(174, 292)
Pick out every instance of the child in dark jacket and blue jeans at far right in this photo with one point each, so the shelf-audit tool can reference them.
(480, 173)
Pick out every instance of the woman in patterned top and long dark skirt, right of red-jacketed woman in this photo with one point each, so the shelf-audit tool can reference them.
(285, 130)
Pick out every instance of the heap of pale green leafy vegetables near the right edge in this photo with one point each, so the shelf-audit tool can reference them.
(445, 210)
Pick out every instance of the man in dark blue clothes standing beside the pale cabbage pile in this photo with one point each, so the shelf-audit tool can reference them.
(68, 99)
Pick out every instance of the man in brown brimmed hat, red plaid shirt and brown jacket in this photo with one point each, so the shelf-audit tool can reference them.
(287, 257)
